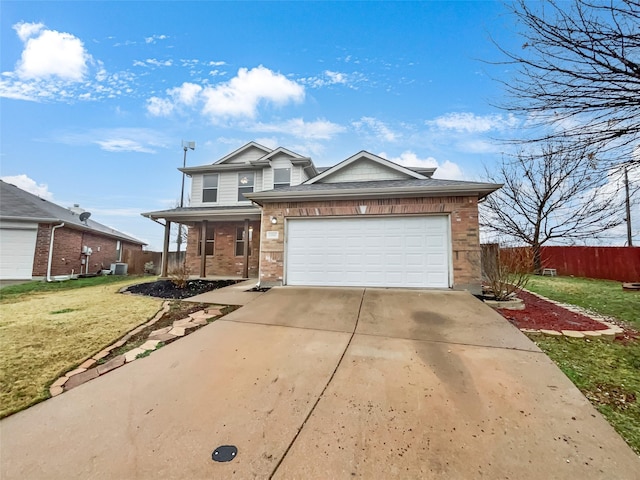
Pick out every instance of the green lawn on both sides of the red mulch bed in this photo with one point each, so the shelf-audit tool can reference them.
(607, 372)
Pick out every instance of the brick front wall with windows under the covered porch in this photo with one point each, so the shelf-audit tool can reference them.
(224, 260)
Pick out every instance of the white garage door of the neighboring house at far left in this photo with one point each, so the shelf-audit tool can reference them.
(17, 248)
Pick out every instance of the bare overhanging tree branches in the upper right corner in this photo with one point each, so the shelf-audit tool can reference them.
(578, 72)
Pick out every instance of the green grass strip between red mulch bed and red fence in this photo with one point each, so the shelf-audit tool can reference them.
(605, 297)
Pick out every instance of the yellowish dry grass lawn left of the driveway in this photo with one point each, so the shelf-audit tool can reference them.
(50, 330)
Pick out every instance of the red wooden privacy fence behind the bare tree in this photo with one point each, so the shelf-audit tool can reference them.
(610, 263)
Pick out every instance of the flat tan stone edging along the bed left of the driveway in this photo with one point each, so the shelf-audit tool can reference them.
(88, 369)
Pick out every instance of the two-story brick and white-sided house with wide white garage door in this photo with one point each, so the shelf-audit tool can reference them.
(364, 222)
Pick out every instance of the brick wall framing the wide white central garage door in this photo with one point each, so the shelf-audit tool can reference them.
(464, 230)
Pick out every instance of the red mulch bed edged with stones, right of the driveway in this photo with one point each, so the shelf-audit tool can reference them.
(541, 314)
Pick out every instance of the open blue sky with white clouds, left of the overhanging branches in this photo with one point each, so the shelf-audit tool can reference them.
(97, 96)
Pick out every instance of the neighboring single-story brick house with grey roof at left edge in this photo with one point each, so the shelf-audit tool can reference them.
(80, 245)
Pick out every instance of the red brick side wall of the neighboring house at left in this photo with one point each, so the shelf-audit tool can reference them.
(67, 251)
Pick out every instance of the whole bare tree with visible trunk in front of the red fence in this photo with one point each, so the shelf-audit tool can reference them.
(550, 195)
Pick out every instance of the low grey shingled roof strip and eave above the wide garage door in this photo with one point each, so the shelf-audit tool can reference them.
(429, 187)
